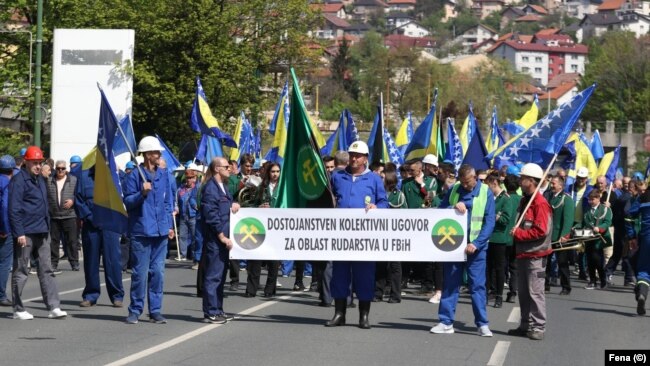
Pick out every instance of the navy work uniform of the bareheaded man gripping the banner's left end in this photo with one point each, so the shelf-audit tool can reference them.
(215, 219)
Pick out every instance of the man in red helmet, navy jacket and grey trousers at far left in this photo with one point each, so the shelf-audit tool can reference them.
(30, 227)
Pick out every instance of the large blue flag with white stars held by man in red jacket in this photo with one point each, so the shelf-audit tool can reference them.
(541, 141)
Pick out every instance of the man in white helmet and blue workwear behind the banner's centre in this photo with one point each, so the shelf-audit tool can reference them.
(355, 187)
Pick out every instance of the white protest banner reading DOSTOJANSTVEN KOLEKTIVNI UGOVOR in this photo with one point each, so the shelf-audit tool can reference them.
(422, 235)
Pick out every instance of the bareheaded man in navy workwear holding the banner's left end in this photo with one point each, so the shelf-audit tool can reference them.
(216, 205)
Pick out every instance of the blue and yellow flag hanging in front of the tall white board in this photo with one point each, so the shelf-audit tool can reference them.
(109, 212)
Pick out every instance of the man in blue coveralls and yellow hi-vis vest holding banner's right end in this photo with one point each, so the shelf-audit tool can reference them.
(470, 196)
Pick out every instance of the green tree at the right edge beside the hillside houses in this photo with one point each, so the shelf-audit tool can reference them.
(620, 64)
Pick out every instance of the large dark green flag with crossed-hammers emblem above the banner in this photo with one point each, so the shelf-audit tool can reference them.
(303, 180)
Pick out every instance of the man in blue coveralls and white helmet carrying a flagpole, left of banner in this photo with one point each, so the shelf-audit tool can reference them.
(149, 203)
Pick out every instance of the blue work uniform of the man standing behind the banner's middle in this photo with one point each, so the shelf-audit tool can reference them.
(351, 192)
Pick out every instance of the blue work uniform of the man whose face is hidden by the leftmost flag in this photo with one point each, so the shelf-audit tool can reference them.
(97, 243)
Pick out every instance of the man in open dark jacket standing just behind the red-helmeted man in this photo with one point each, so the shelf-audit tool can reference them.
(60, 197)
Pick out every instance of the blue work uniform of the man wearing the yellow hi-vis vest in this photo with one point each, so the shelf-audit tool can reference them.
(475, 265)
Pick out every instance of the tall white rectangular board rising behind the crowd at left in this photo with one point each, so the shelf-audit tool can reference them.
(82, 58)
